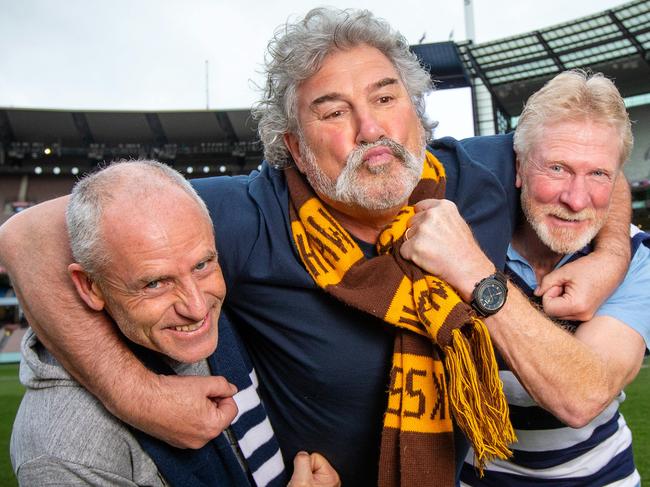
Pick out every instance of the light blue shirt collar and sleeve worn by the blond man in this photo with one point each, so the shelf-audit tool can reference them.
(630, 302)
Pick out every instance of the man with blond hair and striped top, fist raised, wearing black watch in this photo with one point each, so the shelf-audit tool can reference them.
(563, 380)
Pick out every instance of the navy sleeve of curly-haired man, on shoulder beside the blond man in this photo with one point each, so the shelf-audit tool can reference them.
(481, 181)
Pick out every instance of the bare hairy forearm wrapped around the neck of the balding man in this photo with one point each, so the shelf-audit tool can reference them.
(34, 249)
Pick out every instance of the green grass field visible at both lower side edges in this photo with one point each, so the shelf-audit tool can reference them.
(635, 409)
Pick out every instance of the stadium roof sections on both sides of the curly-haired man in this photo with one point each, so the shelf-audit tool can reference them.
(616, 42)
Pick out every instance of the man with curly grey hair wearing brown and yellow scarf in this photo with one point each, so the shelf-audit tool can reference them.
(330, 312)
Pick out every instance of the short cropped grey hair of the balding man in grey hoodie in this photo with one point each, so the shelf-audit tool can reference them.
(95, 192)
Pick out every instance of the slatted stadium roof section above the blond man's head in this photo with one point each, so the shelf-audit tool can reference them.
(615, 42)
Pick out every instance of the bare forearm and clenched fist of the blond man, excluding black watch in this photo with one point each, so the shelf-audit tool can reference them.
(573, 379)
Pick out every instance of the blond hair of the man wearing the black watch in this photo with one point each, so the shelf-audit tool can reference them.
(574, 95)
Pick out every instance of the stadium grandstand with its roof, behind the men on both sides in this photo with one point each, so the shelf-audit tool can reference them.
(42, 152)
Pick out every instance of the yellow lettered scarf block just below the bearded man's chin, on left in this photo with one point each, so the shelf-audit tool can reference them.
(325, 247)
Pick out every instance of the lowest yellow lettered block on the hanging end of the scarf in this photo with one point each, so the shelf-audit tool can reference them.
(417, 389)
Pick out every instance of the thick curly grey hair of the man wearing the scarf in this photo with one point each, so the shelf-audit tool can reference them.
(297, 51)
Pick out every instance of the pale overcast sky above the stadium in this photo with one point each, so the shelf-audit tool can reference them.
(153, 54)
